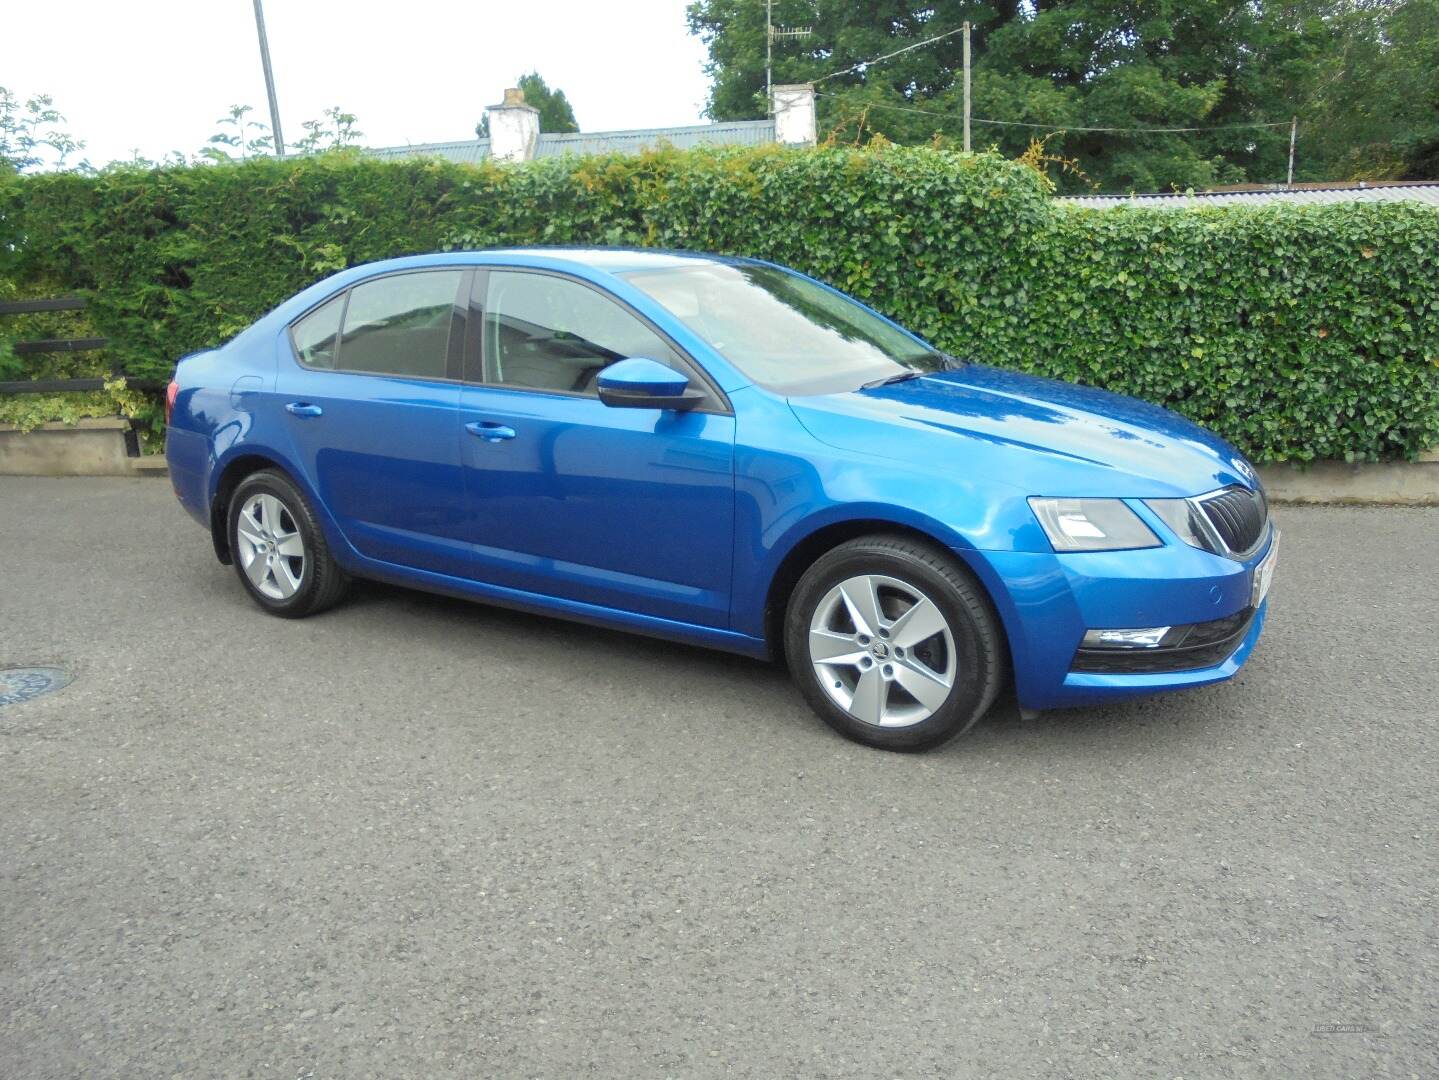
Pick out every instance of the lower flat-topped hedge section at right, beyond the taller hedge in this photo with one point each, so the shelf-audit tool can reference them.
(1299, 333)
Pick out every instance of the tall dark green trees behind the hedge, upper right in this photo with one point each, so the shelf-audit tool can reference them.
(1234, 68)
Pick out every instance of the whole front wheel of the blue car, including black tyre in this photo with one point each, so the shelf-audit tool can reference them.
(893, 644)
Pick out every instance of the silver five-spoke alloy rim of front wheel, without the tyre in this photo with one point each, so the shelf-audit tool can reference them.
(883, 651)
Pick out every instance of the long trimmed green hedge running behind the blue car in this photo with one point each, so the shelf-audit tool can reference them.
(1297, 331)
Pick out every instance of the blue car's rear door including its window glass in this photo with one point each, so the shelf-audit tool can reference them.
(372, 405)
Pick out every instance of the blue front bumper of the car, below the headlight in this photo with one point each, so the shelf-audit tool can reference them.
(1048, 602)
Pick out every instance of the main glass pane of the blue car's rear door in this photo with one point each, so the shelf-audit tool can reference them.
(402, 326)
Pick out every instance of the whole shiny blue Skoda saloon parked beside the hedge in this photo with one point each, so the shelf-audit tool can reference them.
(729, 454)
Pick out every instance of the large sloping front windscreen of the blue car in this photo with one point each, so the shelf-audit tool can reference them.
(785, 331)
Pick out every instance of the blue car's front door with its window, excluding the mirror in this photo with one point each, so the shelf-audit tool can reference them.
(627, 508)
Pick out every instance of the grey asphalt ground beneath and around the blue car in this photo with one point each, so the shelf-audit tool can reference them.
(419, 838)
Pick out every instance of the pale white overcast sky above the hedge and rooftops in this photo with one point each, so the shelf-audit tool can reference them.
(155, 75)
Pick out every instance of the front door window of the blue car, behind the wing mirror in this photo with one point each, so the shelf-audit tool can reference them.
(546, 333)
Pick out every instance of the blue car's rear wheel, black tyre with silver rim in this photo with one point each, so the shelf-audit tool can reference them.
(278, 549)
